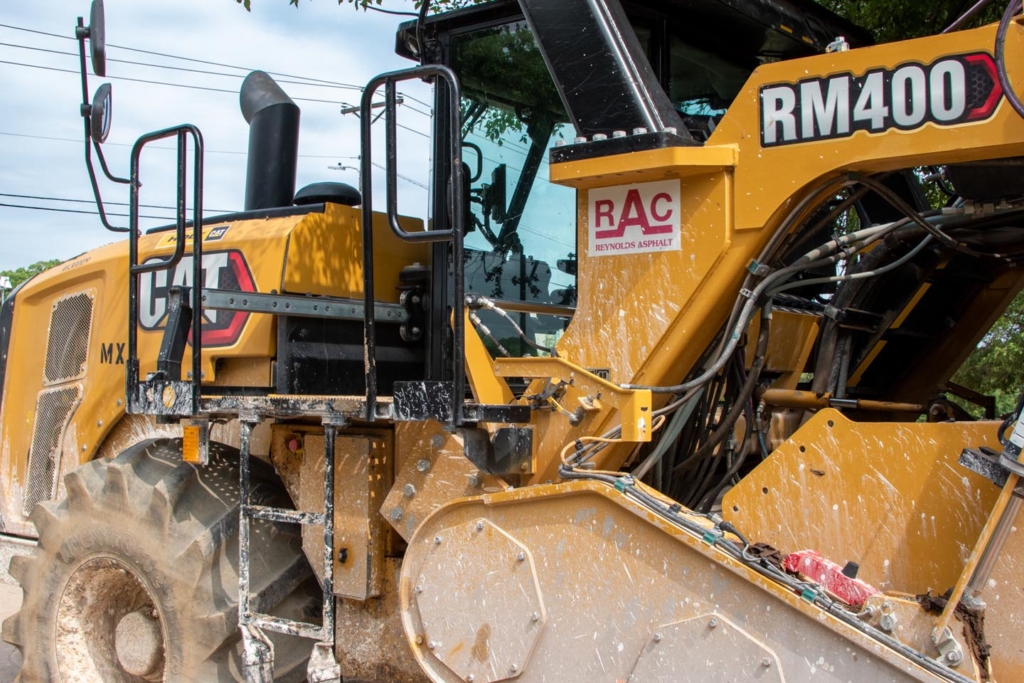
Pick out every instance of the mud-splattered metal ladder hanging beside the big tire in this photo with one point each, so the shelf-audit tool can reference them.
(258, 660)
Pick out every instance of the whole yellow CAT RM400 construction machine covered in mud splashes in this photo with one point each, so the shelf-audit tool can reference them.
(660, 391)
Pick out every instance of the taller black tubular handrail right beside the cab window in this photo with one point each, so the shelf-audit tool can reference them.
(455, 235)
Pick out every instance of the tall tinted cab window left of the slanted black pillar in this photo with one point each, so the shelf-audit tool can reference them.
(523, 243)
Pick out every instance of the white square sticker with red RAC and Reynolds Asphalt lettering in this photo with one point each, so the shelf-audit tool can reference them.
(635, 220)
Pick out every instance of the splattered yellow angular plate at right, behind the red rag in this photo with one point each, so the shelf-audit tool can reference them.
(888, 496)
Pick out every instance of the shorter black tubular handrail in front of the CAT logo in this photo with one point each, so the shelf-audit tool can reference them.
(136, 269)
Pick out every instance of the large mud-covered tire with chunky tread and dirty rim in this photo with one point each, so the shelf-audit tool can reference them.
(137, 574)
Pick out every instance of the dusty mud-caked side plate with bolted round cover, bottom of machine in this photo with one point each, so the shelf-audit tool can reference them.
(613, 575)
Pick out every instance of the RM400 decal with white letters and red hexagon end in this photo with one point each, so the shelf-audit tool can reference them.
(953, 91)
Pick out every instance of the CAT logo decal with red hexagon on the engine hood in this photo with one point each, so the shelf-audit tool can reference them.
(222, 271)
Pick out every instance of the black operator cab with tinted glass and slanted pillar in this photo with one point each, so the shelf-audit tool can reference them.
(531, 90)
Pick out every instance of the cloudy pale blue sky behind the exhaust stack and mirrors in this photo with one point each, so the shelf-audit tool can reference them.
(41, 150)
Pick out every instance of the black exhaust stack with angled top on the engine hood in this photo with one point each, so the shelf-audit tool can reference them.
(274, 143)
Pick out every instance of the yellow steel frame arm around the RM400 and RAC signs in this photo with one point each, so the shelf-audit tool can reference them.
(670, 306)
